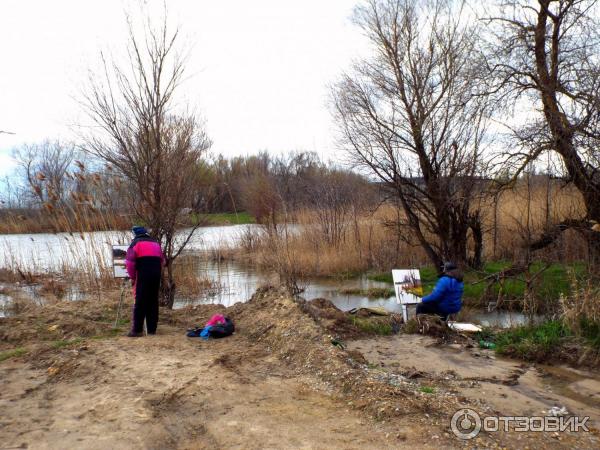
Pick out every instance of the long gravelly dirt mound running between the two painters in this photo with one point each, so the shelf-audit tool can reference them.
(301, 335)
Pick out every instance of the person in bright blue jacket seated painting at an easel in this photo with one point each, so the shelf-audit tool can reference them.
(446, 297)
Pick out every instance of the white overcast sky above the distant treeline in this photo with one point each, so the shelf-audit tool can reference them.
(259, 70)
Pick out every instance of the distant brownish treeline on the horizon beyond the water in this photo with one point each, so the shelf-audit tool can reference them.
(58, 188)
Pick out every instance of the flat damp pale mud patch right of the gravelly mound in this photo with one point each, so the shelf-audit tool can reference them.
(510, 387)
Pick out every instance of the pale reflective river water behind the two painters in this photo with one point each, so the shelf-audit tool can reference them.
(42, 253)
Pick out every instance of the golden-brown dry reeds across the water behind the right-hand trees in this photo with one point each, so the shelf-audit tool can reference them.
(372, 240)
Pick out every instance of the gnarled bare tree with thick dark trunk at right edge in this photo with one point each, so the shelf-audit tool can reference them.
(547, 52)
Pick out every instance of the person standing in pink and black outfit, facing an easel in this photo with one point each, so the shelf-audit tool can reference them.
(144, 262)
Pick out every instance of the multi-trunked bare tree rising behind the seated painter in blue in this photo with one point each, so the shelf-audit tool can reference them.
(408, 115)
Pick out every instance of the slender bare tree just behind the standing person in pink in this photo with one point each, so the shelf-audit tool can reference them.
(156, 148)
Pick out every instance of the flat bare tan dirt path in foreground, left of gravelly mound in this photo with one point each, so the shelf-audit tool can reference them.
(168, 391)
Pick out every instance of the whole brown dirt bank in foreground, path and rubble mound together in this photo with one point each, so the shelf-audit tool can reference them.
(279, 382)
